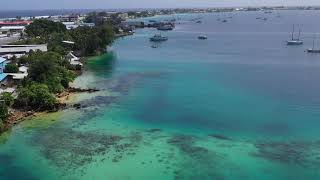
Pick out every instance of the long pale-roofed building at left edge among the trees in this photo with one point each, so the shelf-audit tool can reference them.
(20, 50)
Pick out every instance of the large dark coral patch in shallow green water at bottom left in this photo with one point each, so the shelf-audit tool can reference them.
(70, 149)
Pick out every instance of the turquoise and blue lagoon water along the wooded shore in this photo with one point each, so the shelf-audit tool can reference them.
(240, 105)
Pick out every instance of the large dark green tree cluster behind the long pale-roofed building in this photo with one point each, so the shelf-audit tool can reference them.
(88, 40)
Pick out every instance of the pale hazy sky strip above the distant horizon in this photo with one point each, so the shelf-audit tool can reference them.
(115, 4)
